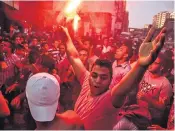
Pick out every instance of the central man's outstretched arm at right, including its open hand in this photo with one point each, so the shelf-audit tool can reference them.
(148, 52)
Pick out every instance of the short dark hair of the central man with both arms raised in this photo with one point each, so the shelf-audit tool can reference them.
(103, 63)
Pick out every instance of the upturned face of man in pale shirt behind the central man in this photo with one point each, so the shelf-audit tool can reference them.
(121, 52)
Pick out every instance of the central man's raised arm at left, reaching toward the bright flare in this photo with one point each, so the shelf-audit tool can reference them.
(73, 55)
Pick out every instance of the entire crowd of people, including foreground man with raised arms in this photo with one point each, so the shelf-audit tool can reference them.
(57, 82)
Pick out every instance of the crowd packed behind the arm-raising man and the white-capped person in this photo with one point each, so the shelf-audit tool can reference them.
(23, 55)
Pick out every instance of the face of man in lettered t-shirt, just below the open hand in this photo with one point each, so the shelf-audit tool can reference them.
(156, 66)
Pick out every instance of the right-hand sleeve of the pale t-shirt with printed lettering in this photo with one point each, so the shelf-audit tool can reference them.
(166, 92)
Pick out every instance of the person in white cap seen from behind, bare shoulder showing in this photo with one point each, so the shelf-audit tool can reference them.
(43, 92)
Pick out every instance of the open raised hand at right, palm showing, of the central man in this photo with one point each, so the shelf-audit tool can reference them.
(149, 50)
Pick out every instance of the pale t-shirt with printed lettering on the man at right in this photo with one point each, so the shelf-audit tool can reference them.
(159, 89)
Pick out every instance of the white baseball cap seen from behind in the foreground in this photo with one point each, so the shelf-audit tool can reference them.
(43, 92)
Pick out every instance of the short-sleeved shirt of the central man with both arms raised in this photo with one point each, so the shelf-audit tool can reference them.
(97, 112)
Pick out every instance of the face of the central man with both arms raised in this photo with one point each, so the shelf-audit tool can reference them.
(99, 80)
